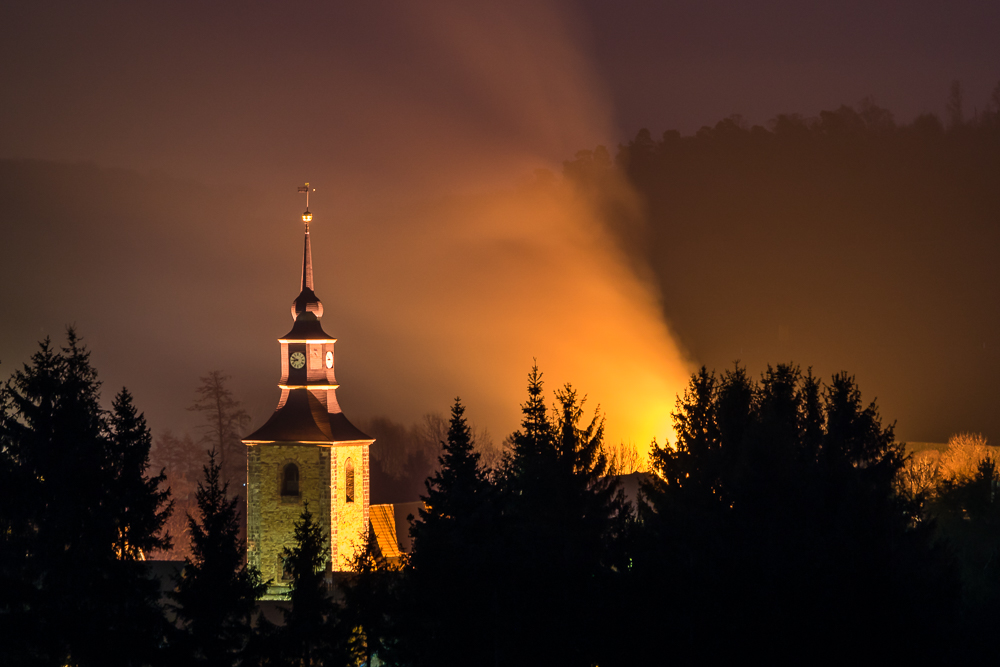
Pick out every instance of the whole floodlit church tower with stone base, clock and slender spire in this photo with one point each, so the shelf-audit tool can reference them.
(307, 452)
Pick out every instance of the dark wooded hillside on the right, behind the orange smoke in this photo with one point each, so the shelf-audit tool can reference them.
(839, 227)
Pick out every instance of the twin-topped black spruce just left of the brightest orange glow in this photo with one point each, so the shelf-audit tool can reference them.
(562, 524)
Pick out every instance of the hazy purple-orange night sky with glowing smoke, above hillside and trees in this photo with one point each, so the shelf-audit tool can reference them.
(151, 154)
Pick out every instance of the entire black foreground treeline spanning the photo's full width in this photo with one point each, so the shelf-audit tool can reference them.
(780, 525)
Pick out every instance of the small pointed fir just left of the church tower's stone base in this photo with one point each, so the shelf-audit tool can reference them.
(216, 592)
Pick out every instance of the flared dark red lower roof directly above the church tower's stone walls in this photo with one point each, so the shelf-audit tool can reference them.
(304, 419)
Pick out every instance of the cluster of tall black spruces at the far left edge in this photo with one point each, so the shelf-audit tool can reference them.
(77, 513)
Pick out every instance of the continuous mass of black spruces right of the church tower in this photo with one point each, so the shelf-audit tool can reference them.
(772, 529)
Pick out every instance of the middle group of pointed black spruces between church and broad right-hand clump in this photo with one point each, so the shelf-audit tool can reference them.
(515, 571)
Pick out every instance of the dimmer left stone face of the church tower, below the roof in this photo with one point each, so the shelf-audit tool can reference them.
(271, 516)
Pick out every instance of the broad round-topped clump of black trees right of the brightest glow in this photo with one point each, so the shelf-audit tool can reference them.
(773, 528)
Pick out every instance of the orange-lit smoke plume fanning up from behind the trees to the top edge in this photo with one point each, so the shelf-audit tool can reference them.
(464, 288)
